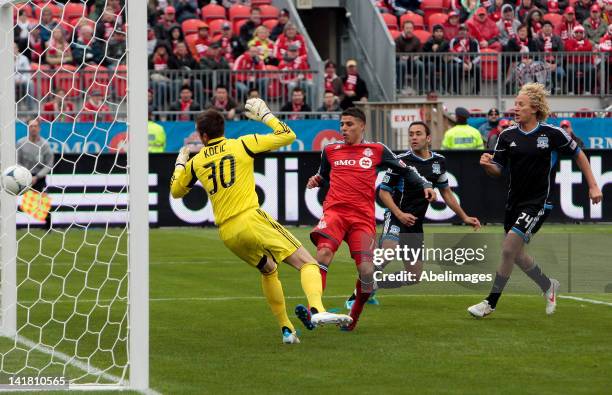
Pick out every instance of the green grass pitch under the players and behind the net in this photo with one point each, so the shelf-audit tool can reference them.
(212, 332)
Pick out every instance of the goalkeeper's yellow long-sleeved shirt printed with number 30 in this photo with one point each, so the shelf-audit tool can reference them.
(225, 169)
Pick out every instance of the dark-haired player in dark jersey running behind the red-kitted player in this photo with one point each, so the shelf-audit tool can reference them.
(406, 207)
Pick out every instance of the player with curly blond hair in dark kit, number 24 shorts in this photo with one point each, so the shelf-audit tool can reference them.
(528, 151)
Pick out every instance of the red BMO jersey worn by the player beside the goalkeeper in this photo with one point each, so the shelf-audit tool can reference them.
(351, 171)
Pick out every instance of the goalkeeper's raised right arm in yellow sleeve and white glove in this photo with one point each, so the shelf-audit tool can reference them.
(257, 110)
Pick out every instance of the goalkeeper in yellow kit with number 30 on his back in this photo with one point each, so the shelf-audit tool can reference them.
(225, 169)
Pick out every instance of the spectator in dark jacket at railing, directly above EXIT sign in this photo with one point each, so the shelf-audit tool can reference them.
(409, 65)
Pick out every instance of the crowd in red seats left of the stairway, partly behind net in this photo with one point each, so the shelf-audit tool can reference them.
(251, 47)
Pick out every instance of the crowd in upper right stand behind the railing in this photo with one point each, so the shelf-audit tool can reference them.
(468, 29)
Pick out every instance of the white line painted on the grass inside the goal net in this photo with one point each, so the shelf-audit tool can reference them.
(87, 368)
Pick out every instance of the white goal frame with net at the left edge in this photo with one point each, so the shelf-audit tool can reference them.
(135, 320)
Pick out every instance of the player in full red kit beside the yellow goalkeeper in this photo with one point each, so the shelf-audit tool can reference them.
(351, 168)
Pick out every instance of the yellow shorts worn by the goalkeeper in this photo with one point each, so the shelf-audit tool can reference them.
(253, 235)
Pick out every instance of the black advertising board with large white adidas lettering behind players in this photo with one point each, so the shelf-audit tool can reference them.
(80, 197)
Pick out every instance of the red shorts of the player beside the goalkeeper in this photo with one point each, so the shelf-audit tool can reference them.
(337, 225)
